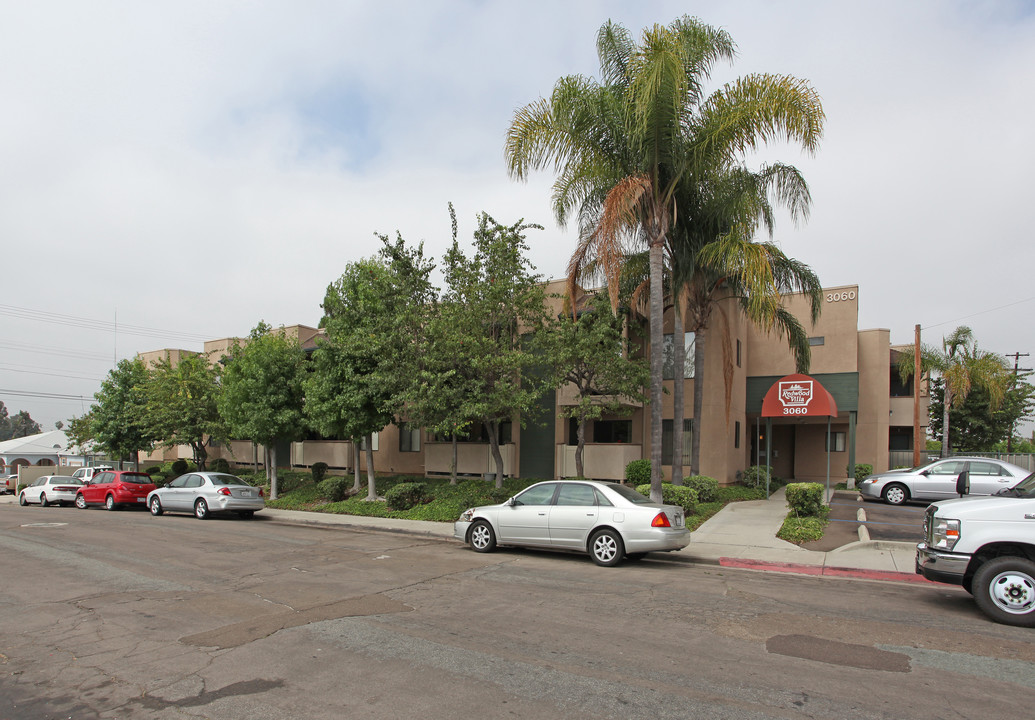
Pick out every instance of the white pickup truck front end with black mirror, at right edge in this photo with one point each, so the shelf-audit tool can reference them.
(988, 546)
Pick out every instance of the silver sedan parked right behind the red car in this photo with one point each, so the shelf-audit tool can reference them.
(205, 493)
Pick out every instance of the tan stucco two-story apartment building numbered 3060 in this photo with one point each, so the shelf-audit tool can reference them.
(875, 411)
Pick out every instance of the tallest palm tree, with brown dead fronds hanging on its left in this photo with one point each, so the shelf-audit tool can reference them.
(623, 146)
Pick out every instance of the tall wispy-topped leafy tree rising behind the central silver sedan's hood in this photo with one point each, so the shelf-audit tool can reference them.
(499, 313)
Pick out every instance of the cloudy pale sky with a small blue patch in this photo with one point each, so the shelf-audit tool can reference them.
(174, 172)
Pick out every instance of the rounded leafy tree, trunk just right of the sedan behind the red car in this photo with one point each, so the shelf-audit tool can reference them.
(261, 395)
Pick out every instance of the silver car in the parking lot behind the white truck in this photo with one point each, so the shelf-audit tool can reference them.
(938, 481)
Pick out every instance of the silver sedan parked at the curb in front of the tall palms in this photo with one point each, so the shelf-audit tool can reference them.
(608, 521)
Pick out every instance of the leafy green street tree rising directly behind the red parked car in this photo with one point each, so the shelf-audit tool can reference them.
(120, 418)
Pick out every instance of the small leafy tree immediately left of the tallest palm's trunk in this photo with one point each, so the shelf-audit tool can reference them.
(592, 354)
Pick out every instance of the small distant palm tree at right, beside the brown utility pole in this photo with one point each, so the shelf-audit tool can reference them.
(962, 367)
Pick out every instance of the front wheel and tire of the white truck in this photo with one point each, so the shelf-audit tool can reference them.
(1004, 589)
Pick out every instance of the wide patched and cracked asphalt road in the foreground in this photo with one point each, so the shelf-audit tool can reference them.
(126, 616)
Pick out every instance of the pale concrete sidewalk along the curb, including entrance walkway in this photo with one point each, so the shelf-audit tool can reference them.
(742, 535)
